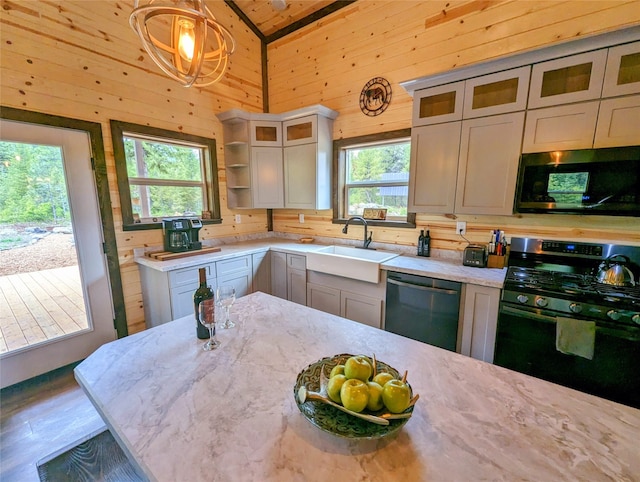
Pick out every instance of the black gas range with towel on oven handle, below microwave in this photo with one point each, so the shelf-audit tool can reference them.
(560, 322)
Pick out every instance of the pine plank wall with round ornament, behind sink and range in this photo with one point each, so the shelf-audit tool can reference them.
(329, 63)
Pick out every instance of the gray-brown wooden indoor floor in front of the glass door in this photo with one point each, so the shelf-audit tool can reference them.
(39, 417)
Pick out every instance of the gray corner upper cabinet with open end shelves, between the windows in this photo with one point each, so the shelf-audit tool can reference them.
(279, 160)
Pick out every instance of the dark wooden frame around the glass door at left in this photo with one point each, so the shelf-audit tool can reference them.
(99, 166)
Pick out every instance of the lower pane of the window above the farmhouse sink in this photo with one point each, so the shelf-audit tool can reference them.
(394, 198)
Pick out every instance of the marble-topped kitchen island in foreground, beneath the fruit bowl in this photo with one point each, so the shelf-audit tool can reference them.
(181, 413)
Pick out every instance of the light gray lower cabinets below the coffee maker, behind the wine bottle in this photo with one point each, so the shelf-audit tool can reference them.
(168, 295)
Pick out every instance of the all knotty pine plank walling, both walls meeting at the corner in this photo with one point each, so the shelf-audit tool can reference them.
(81, 59)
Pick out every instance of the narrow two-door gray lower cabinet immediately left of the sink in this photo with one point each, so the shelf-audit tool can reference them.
(289, 276)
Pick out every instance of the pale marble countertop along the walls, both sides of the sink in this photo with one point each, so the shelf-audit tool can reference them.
(443, 268)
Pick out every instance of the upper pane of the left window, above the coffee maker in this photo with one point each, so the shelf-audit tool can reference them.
(163, 160)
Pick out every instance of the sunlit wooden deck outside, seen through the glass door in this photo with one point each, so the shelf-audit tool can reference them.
(39, 306)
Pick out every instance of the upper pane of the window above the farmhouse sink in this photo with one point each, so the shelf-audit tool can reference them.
(378, 163)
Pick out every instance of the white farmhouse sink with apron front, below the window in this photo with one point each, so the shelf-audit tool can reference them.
(355, 263)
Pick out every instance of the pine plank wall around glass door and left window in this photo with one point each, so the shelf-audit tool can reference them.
(81, 59)
